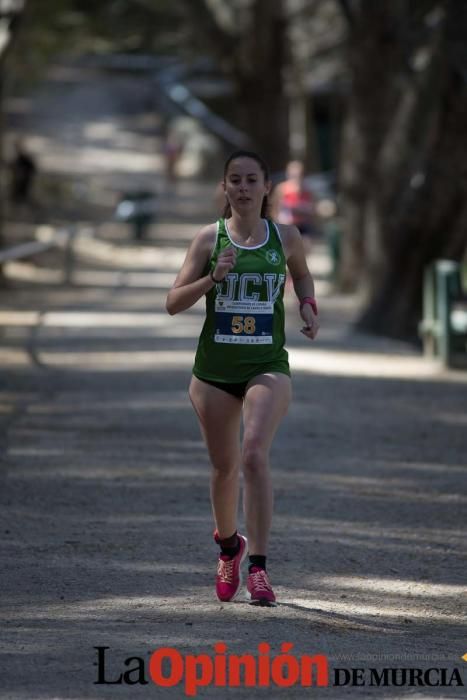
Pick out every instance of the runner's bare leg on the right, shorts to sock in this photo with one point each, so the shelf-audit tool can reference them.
(266, 402)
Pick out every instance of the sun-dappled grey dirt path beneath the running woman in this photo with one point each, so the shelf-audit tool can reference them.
(105, 517)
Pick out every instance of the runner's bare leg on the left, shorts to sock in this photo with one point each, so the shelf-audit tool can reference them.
(219, 417)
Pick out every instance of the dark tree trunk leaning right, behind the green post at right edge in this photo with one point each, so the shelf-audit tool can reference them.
(419, 203)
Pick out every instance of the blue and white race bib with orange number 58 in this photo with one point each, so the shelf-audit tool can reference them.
(244, 322)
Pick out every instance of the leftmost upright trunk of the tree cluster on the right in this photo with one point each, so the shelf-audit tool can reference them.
(374, 53)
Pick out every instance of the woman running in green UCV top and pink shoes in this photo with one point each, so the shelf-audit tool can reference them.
(241, 367)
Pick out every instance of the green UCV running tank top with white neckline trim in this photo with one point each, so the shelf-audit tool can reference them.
(243, 334)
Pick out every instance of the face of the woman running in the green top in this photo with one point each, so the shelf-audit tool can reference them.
(245, 185)
